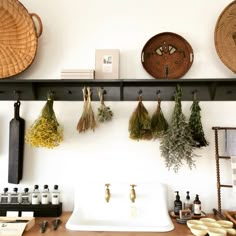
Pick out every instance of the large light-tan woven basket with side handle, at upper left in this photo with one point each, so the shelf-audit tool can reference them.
(18, 37)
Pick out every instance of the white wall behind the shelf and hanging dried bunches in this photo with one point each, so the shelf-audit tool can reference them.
(72, 31)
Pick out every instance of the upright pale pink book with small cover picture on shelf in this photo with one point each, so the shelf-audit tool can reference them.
(107, 64)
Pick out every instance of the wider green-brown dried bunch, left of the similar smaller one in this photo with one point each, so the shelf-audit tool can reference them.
(140, 123)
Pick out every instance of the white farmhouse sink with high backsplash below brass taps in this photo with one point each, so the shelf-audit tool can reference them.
(149, 213)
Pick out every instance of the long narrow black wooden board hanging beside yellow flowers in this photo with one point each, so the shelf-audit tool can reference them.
(16, 146)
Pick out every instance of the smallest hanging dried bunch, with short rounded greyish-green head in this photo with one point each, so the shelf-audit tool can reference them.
(104, 112)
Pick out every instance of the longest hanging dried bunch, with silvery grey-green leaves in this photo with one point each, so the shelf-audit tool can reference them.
(177, 143)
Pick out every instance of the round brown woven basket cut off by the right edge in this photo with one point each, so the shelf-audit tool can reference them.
(225, 36)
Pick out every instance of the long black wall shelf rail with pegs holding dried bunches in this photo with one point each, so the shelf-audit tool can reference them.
(119, 90)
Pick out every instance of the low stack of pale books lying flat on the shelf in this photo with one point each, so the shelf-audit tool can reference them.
(77, 74)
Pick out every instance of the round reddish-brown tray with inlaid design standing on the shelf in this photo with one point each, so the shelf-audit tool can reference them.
(167, 56)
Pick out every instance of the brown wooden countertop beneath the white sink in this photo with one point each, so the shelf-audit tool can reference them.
(180, 229)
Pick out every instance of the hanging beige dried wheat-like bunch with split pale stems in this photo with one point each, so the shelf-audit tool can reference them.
(87, 119)
